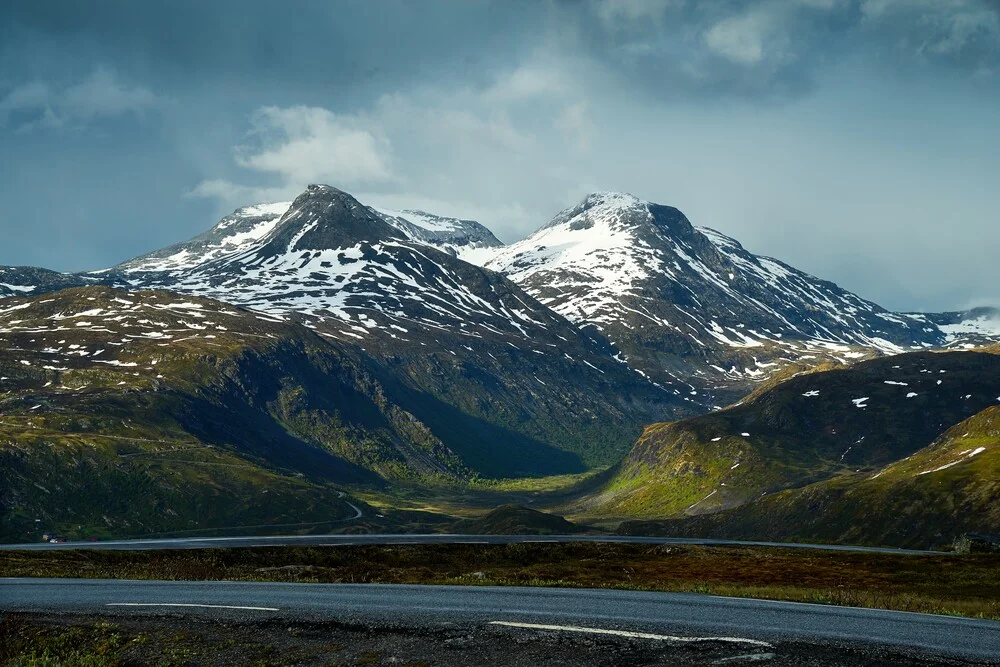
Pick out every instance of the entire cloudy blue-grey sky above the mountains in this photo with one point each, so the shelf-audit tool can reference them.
(858, 140)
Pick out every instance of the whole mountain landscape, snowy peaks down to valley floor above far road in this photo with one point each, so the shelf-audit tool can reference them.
(321, 365)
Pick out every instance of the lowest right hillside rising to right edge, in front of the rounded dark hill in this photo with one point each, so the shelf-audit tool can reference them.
(926, 500)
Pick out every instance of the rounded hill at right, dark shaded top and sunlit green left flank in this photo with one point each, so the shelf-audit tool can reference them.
(811, 427)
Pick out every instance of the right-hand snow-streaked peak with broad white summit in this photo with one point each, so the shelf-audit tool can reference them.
(690, 307)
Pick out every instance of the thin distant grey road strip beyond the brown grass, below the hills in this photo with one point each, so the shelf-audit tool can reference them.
(337, 540)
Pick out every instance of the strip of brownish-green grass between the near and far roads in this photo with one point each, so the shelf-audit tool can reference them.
(939, 584)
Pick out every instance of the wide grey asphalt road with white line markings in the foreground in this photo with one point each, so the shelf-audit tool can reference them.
(670, 616)
